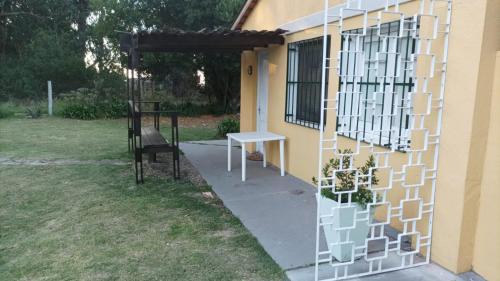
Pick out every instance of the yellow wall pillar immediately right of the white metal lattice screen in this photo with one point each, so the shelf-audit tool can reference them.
(473, 45)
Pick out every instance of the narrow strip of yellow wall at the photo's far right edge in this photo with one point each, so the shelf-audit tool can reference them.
(487, 247)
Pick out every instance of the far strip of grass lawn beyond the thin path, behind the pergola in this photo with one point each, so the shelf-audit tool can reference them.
(56, 138)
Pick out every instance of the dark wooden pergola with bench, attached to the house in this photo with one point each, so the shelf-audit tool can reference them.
(148, 140)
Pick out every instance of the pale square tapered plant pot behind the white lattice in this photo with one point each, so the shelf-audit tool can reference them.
(338, 216)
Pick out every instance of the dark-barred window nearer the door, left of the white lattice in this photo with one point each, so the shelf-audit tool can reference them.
(303, 95)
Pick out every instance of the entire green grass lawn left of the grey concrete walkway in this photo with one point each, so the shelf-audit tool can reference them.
(91, 222)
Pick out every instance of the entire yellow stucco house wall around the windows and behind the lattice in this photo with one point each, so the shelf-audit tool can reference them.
(460, 201)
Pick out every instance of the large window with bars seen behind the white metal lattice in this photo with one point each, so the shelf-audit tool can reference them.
(373, 98)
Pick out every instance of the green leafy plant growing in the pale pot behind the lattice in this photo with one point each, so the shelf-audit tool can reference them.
(346, 179)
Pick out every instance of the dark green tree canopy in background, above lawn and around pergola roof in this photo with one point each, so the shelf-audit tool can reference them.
(74, 43)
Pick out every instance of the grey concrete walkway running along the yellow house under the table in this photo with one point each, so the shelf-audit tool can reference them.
(279, 212)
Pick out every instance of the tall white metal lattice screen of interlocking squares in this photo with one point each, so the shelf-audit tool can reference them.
(428, 64)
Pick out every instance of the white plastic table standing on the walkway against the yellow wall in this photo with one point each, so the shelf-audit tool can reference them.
(251, 137)
